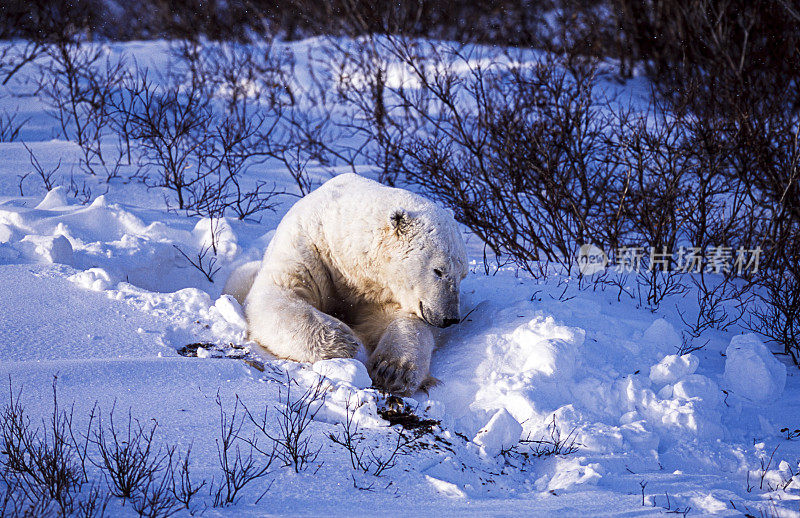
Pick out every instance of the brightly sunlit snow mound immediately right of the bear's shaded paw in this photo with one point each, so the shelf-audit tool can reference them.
(514, 359)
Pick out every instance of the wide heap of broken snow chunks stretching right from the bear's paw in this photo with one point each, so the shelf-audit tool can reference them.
(553, 378)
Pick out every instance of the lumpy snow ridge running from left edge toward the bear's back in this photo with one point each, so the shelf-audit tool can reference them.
(126, 242)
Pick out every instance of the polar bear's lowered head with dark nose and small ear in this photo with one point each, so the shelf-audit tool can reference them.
(426, 260)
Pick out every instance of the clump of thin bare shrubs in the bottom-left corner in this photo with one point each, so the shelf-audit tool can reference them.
(44, 470)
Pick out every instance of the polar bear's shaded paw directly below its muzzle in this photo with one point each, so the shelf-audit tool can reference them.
(401, 360)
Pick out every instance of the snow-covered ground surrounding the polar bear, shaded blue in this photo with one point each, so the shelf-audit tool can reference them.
(99, 295)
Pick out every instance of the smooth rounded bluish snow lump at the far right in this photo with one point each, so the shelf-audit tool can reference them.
(751, 371)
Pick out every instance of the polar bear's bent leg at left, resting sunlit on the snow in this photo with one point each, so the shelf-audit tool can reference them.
(291, 328)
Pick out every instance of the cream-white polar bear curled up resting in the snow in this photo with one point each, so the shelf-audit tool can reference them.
(355, 262)
